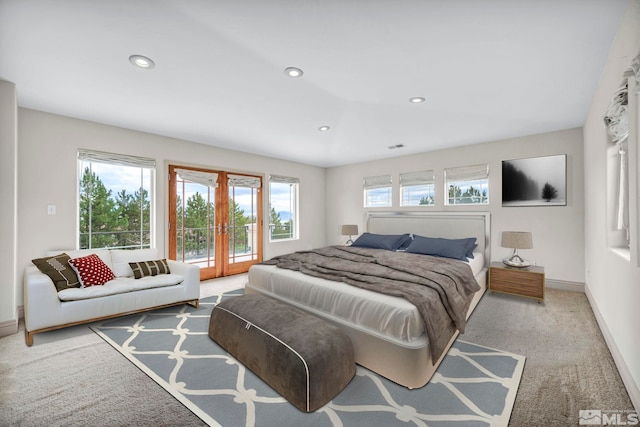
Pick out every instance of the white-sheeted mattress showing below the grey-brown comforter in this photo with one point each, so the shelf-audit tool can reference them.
(385, 315)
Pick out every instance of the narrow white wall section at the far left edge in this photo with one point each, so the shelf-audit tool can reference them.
(8, 207)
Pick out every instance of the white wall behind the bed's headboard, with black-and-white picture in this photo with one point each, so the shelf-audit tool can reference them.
(558, 231)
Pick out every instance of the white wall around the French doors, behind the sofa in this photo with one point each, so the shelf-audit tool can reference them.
(47, 169)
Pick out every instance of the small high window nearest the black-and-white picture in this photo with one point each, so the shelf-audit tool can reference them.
(467, 185)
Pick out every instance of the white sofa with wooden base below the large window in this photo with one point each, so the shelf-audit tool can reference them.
(47, 309)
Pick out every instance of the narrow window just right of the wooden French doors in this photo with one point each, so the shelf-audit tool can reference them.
(283, 207)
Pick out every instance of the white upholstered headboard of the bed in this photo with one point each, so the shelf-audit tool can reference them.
(452, 225)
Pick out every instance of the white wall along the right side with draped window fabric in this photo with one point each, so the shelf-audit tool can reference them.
(613, 281)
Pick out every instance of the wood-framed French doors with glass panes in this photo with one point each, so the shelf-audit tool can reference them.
(215, 220)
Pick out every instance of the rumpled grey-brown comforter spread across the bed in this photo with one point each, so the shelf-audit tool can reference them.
(440, 288)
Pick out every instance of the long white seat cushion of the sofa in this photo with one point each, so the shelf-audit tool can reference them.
(120, 285)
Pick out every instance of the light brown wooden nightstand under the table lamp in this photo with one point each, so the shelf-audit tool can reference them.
(527, 282)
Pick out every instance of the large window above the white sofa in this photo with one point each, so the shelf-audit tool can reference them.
(114, 200)
